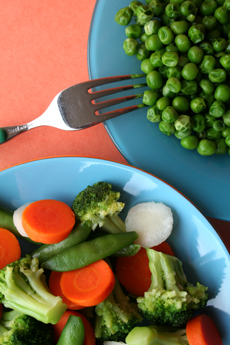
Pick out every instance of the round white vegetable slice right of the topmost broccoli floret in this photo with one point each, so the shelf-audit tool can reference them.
(152, 221)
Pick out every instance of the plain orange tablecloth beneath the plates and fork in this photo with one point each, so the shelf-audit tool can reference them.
(43, 48)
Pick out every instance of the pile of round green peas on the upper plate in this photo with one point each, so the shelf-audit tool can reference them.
(184, 50)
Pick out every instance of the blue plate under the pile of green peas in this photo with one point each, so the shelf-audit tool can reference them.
(204, 180)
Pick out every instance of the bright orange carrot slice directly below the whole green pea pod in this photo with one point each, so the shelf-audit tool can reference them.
(90, 285)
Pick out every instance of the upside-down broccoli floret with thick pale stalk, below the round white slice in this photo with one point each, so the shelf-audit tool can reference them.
(171, 299)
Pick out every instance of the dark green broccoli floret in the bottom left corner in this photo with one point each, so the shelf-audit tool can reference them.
(21, 329)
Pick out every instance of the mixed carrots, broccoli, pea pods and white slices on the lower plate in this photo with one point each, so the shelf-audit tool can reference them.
(94, 279)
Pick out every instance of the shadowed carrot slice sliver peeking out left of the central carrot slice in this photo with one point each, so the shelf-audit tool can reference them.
(55, 288)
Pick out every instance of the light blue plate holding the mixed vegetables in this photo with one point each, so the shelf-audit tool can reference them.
(194, 241)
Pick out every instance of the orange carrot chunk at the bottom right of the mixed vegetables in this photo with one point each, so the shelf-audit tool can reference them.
(201, 330)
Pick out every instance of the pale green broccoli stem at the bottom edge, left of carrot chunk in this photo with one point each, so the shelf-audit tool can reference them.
(154, 335)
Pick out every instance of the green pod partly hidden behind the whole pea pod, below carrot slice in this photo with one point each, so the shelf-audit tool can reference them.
(79, 234)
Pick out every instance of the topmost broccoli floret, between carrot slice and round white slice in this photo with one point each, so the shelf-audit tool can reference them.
(98, 204)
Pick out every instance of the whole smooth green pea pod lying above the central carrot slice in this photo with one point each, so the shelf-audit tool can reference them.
(90, 251)
